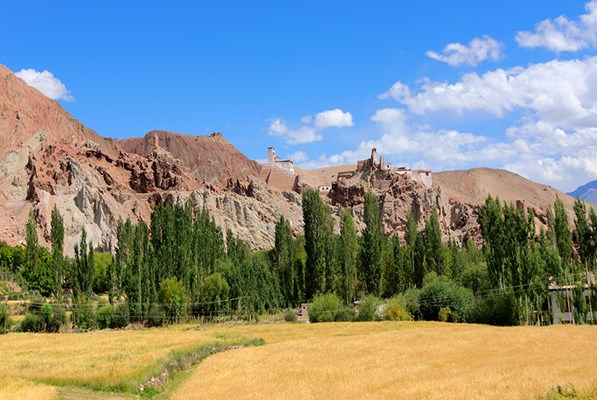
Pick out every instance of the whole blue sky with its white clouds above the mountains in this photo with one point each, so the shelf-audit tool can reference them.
(440, 85)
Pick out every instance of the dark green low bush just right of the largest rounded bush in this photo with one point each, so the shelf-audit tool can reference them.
(496, 309)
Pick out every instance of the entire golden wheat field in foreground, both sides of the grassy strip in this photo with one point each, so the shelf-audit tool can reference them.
(383, 360)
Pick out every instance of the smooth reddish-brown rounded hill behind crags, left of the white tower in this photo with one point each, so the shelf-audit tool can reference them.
(211, 159)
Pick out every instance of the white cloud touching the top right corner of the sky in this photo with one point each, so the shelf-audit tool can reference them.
(563, 34)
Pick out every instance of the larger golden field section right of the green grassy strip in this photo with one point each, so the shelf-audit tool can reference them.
(383, 361)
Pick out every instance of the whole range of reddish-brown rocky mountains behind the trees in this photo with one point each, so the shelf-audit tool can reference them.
(49, 158)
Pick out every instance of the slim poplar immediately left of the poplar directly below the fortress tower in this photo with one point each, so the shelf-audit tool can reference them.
(348, 251)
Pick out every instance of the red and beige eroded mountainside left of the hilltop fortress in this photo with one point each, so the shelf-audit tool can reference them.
(48, 159)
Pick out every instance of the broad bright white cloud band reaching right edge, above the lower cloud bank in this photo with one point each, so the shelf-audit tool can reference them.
(559, 92)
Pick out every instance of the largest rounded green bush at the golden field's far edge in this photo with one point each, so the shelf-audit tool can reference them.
(440, 292)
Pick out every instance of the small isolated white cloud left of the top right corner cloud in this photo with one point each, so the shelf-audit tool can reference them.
(478, 50)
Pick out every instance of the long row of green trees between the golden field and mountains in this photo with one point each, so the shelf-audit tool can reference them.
(182, 264)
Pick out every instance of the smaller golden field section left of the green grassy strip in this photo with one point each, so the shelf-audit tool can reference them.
(103, 359)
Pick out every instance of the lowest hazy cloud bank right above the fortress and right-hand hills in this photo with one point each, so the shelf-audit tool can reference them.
(536, 149)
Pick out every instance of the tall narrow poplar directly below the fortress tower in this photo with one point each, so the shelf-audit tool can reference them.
(372, 248)
